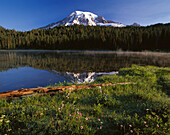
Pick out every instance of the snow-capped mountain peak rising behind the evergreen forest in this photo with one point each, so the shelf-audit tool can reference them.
(84, 18)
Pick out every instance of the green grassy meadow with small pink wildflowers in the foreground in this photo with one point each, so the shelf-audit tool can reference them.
(140, 108)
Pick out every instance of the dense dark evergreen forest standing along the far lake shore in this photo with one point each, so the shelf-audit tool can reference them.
(155, 37)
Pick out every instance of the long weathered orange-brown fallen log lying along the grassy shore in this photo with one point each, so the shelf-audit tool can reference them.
(51, 90)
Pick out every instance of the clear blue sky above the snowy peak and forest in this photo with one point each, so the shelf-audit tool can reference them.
(30, 14)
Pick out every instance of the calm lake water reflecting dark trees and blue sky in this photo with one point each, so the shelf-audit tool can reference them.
(33, 68)
